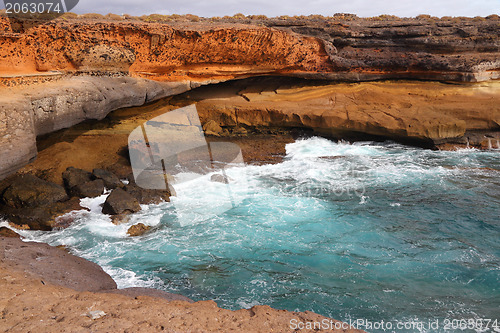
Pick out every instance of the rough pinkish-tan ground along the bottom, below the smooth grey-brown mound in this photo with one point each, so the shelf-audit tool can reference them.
(54, 308)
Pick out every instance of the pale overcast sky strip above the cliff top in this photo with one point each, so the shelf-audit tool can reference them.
(402, 8)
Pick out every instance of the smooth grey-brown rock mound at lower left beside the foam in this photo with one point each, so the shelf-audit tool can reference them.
(54, 266)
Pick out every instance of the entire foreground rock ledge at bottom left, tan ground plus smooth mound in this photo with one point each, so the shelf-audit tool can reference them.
(46, 289)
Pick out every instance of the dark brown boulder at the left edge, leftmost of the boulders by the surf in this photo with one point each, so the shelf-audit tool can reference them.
(28, 191)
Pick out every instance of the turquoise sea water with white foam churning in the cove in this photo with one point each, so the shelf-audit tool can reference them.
(377, 231)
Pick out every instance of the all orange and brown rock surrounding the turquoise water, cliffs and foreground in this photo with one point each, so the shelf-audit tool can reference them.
(258, 84)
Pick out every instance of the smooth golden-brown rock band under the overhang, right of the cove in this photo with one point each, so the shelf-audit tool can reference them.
(425, 114)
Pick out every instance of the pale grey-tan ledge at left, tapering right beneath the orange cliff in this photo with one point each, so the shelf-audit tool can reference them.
(41, 109)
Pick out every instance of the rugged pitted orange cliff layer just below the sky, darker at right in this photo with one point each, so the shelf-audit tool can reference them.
(344, 48)
